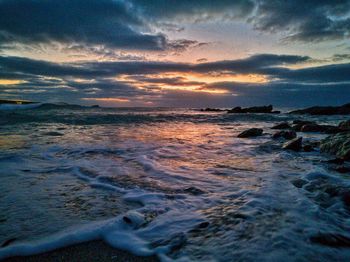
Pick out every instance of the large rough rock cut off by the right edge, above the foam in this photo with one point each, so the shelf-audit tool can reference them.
(338, 145)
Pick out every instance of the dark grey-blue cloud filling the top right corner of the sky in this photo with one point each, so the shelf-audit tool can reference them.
(304, 20)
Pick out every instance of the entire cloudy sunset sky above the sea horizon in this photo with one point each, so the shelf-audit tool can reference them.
(183, 53)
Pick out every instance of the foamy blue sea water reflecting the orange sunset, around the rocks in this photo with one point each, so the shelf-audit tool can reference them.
(173, 182)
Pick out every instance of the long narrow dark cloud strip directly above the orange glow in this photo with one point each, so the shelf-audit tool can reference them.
(254, 64)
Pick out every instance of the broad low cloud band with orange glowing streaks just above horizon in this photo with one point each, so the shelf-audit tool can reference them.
(161, 83)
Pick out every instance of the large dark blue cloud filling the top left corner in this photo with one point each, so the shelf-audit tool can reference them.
(106, 22)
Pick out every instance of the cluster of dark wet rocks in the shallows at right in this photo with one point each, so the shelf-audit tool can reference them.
(337, 144)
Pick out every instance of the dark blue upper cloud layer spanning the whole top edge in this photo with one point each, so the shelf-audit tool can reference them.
(129, 24)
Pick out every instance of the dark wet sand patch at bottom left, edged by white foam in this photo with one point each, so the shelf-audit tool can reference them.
(96, 250)
